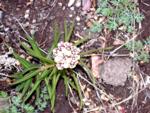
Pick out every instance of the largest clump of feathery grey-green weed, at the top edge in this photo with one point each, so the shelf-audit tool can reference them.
(117, 13)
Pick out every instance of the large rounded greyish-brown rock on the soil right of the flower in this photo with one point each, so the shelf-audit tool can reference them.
(115, 71)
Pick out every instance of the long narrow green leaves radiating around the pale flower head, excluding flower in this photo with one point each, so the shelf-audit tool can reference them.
(45, 71)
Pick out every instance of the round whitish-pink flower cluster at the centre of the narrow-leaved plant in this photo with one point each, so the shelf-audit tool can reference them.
(66, 55)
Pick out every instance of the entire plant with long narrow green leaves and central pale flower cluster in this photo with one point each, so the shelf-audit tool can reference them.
(58, 64)
